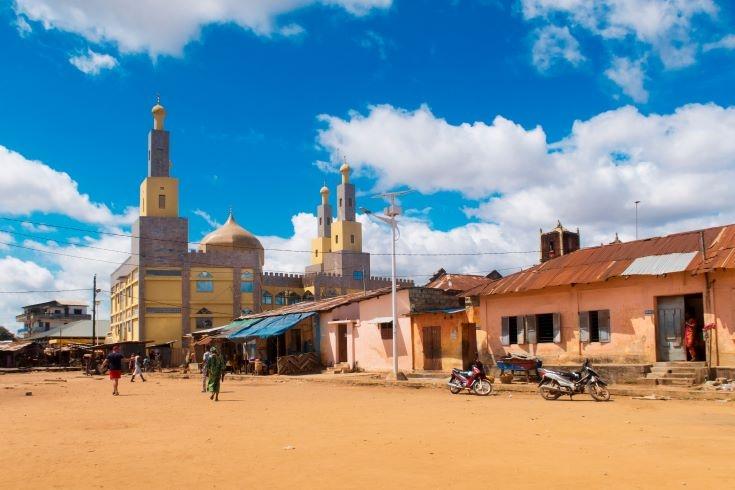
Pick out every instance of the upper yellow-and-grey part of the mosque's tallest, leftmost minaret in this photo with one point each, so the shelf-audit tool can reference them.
(159, 192)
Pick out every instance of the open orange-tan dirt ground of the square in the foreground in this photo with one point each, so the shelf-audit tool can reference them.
(72, 433)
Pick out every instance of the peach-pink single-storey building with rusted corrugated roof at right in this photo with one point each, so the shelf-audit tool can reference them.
(619, 303)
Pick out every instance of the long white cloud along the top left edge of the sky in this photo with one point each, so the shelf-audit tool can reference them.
(164, 27)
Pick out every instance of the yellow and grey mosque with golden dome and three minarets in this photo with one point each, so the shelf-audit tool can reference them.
(165, 290)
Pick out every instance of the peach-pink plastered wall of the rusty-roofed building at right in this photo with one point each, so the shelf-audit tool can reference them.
(633, 333)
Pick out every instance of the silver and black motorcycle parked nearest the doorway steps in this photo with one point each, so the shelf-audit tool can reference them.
(554, 384)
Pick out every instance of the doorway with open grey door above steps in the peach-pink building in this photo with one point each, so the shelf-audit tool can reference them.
(671, 314)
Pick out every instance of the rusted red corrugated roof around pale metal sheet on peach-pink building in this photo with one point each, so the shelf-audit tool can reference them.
(597, 264)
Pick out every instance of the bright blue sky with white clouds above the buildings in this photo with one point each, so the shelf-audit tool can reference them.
(504, 115)
